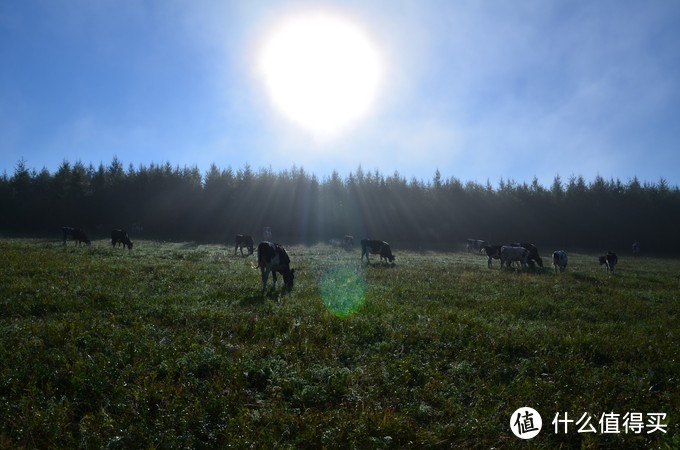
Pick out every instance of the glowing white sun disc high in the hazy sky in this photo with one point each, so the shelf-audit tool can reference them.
(321, 71)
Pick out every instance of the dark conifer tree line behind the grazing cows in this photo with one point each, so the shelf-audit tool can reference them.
(167, 202)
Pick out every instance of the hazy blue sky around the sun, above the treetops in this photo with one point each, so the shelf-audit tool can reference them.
(480, 90)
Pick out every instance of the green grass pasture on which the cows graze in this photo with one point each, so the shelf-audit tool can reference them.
(173, 345)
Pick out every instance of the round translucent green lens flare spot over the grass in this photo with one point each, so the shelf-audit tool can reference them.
(343, 291)
